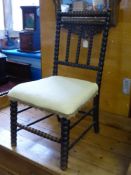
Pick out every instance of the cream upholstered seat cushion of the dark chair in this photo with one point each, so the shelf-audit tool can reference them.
(59, 94)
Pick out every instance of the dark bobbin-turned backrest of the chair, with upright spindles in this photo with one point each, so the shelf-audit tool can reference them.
(85, 25)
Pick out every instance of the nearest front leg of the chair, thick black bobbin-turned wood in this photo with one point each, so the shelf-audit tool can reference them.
(65, 133)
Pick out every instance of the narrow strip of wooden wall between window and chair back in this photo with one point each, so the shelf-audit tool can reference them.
(47, 35)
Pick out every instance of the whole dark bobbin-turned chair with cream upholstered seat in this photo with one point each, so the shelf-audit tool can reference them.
(65, 96)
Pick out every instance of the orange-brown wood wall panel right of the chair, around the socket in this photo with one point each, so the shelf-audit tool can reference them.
(118, 65)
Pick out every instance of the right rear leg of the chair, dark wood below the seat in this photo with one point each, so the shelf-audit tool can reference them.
(96, 114)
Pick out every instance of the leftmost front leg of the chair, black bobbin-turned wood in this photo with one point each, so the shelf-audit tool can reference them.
(13, 120)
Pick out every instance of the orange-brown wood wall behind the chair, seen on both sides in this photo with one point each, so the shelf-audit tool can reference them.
(118, 57)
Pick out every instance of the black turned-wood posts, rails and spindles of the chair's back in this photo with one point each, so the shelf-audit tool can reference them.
(90, 28)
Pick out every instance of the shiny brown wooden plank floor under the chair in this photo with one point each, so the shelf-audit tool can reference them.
(107, 153)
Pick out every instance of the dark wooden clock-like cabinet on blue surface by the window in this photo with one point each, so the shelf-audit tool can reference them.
(30, 35)
